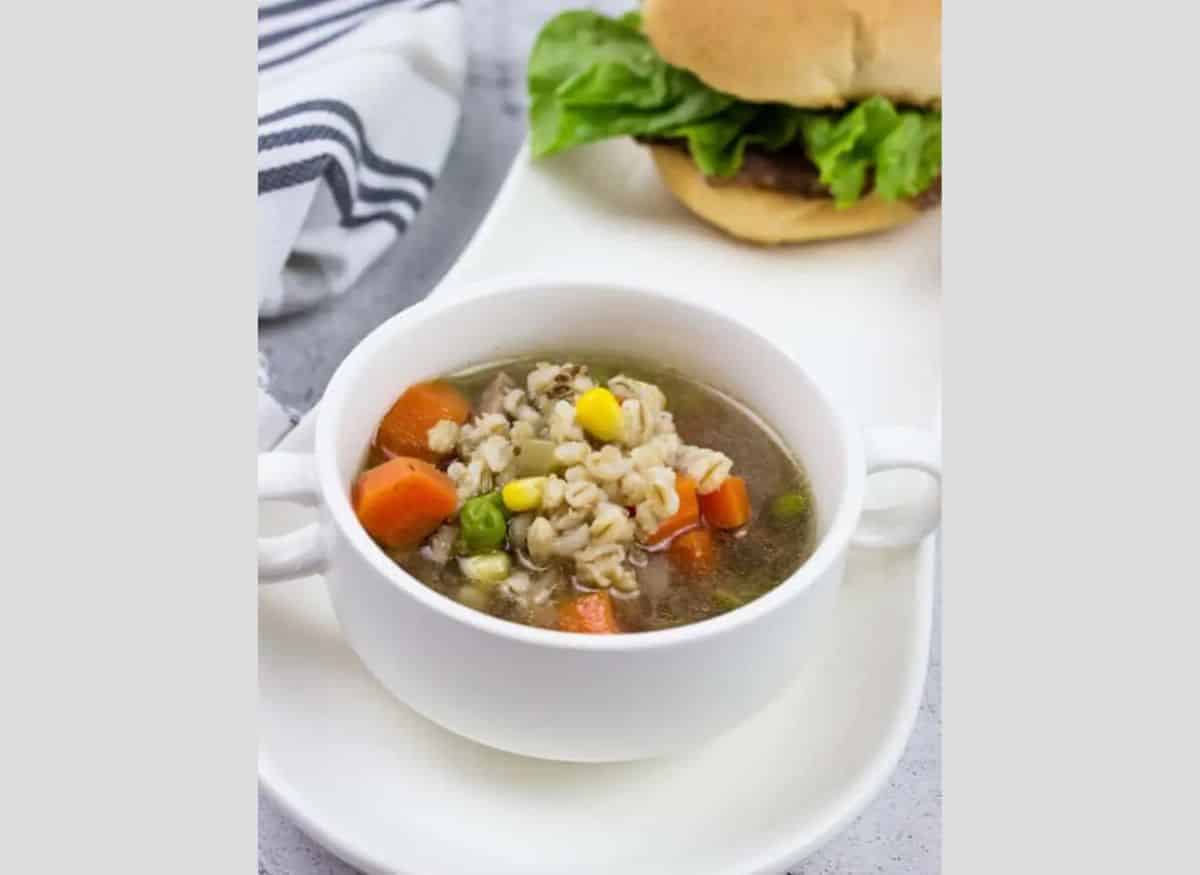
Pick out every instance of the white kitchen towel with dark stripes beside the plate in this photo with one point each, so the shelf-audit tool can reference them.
(358, 105)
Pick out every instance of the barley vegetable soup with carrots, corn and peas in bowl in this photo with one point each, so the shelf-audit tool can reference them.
(601, 498)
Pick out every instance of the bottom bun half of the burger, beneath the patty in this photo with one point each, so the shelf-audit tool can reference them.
(766, 217)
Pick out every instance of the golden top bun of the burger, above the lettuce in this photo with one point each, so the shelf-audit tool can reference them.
(808, 53)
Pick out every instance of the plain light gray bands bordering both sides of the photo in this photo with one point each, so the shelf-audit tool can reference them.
(1071, 435)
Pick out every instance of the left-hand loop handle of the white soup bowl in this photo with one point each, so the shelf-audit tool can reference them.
(290, 477)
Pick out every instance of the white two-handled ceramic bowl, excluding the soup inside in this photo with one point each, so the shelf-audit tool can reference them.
(538, 692)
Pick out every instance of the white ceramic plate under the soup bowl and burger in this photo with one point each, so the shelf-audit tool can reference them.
(391, 793)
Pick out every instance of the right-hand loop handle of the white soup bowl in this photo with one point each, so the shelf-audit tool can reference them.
(903, 525)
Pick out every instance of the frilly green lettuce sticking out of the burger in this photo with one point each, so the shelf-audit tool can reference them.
(592, 79)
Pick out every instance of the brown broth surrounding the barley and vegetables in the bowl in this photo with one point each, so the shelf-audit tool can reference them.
(745, 564)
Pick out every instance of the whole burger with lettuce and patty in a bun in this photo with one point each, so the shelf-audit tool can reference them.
(776, 121)
